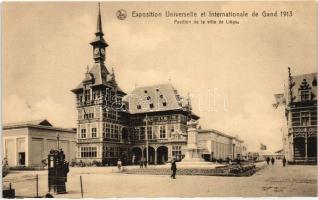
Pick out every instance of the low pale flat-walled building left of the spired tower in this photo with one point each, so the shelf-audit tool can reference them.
(29, 143)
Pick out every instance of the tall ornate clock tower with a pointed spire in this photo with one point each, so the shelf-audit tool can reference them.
(102, 134)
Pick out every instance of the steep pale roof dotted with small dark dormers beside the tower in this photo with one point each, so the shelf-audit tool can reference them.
(161, 97)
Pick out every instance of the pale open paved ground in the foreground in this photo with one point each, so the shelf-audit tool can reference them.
(101, 182)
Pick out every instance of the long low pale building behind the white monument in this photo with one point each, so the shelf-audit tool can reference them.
(218, 145)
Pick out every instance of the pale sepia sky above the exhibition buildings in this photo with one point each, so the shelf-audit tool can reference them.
(45, 51)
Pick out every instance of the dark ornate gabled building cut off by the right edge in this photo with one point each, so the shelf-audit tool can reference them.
(300, 134)
